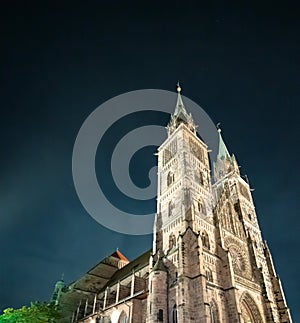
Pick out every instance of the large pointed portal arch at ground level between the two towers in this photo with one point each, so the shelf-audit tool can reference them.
(249, 310)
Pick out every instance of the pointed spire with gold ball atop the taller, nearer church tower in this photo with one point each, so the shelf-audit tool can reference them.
(180, 115)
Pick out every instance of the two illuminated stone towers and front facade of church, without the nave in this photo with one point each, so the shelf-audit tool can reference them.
(209, 262)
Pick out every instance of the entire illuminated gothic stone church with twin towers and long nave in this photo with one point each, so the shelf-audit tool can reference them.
(208, 262)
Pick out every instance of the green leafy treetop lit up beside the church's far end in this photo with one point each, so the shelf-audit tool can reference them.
(35, 313)
